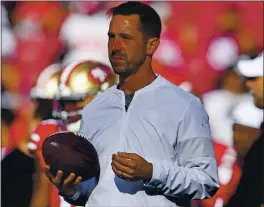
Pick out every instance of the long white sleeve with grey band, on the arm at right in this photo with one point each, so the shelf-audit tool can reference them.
(194, 173)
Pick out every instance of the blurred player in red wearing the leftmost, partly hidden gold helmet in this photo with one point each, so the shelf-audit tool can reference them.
(42, 95)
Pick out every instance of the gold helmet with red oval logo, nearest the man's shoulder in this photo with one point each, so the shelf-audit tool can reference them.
(79, 83)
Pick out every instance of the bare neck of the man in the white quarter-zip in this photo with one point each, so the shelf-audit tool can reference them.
(135, 82)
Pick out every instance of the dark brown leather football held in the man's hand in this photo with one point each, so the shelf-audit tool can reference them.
(71, 153)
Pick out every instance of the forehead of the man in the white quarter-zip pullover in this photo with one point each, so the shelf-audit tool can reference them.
(124, 23)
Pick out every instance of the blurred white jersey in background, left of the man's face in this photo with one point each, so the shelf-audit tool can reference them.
(86, 37)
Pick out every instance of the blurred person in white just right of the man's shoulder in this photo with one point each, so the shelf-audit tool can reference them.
(218, 104)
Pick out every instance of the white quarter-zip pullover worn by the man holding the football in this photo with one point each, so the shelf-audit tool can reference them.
(165, 125)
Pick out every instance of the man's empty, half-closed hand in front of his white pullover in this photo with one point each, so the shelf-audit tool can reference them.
(131, 167)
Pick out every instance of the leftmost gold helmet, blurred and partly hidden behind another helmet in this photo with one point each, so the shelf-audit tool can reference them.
(47, 83)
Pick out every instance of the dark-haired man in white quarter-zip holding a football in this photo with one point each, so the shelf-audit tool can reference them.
(152, 138)
